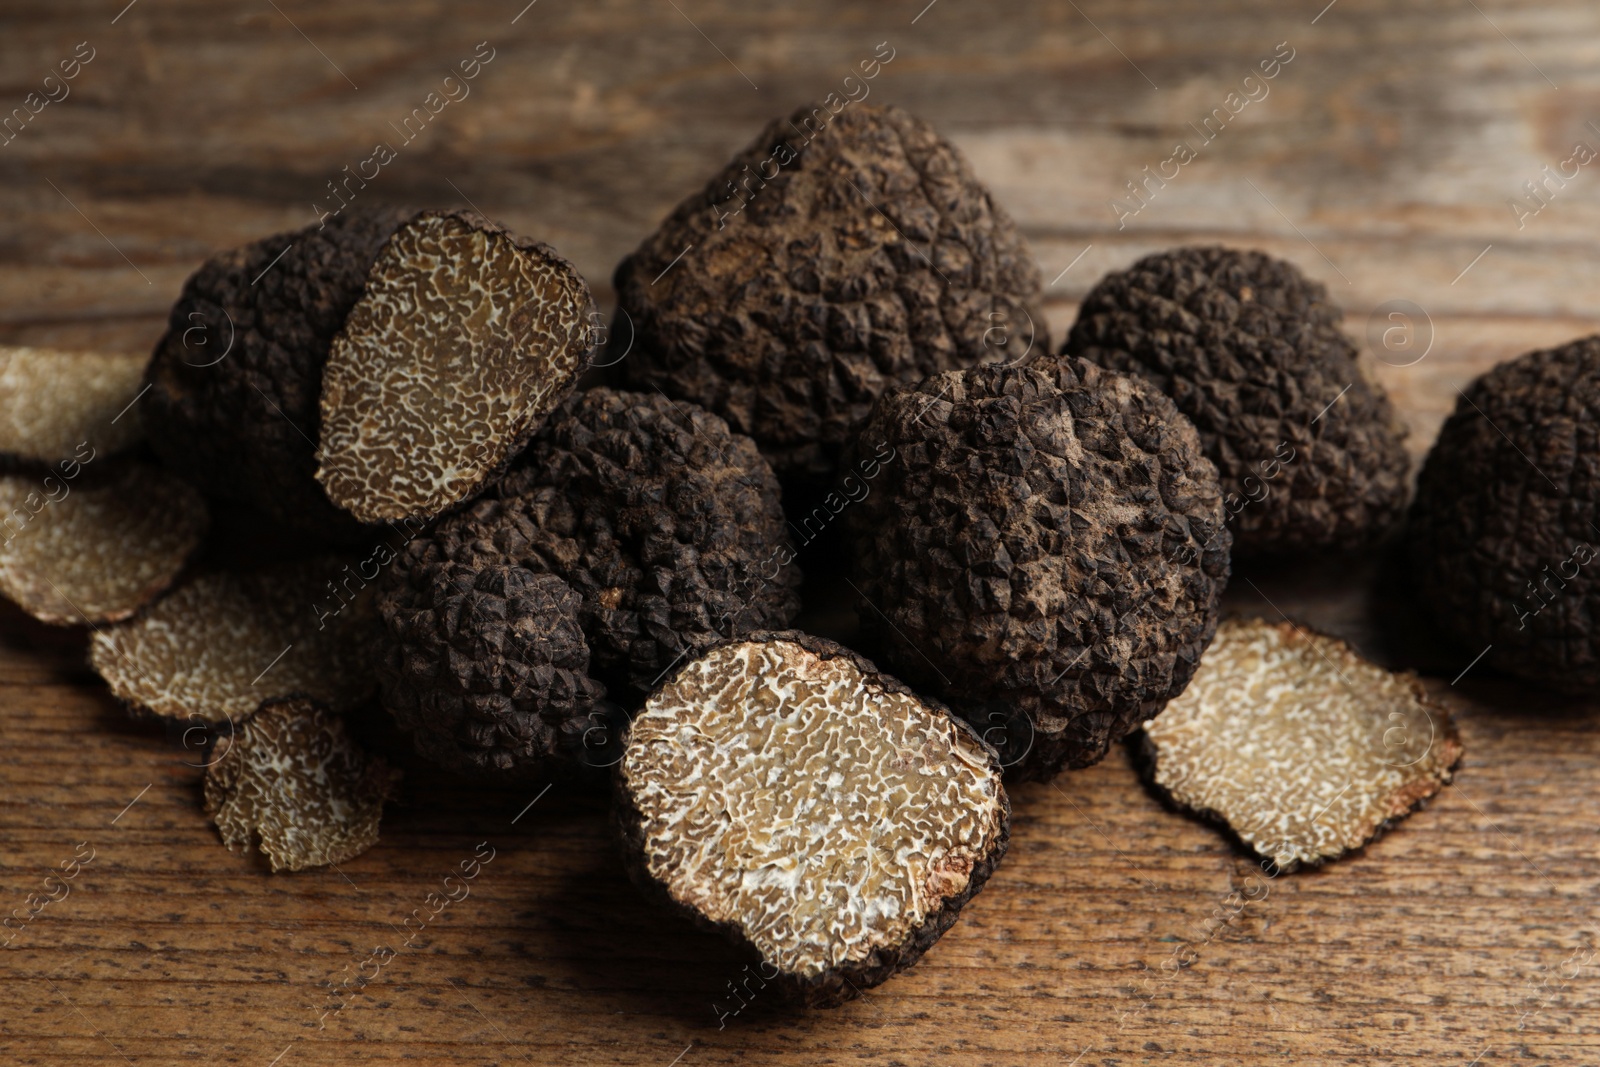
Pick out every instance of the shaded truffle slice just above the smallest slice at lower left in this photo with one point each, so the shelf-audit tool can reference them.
(223, 644)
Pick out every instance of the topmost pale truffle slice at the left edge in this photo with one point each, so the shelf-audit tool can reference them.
(55, 401)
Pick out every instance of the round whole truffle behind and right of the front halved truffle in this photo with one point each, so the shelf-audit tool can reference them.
(1042, 541)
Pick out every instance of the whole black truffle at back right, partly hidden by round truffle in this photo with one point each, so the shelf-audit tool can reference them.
(1310, 450)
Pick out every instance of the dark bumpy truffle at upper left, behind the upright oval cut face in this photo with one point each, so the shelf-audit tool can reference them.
(236, 383)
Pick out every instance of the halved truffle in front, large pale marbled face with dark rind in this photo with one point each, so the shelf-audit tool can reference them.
(810, 809)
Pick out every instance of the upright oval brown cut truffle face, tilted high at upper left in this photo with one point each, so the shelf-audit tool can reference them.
(454, 358)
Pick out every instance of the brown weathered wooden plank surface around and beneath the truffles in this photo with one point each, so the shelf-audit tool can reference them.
(1383, 162)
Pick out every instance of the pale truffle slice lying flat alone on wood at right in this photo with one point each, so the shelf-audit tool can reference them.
(1300, 746)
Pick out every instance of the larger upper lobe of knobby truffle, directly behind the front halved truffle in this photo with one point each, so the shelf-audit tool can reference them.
(666, 526)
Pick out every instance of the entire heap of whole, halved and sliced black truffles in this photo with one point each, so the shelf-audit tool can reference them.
(546, 573)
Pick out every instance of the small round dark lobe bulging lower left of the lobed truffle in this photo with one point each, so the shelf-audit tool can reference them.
(487, 666)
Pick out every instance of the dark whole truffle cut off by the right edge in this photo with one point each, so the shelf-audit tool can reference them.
(1503, 532)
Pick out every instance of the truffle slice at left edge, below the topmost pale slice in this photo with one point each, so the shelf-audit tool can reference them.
(78, 553)
